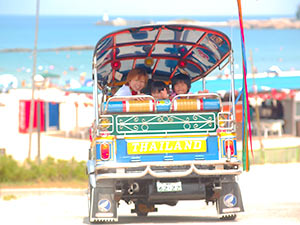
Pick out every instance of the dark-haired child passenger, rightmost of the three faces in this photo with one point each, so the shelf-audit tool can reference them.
(181, 84)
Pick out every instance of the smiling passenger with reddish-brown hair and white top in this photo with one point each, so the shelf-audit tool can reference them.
(136, 80)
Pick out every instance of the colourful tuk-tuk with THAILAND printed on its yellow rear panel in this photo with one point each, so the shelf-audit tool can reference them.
(150, 151)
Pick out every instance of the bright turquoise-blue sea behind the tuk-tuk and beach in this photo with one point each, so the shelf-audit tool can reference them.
(268, 46)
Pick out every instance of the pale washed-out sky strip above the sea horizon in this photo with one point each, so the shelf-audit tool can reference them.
(149, 7)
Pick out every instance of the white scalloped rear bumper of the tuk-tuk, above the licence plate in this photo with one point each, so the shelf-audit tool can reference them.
(166, 169)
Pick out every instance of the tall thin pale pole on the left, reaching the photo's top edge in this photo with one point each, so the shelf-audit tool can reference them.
(31, 115)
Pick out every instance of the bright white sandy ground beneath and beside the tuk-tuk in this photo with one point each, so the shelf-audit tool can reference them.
(270, 196)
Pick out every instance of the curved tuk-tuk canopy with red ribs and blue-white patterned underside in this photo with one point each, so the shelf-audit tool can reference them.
(163, 50)
